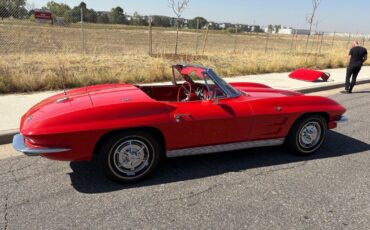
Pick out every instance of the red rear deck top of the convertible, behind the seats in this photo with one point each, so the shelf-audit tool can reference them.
(77, 104)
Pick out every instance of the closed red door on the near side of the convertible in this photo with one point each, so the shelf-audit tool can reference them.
(205, 123)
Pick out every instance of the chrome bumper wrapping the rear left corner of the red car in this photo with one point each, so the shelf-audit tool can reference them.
(19, 145)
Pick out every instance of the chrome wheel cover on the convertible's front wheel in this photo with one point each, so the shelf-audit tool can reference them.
(310, 135)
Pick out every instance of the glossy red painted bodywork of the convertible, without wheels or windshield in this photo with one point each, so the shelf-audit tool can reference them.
(90, 113)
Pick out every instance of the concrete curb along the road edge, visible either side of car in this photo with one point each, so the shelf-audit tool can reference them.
(6, 137)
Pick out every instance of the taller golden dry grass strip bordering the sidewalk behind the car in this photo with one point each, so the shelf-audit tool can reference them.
(36, 72)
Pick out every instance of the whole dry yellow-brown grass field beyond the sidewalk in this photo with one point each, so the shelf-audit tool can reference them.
(36, 57)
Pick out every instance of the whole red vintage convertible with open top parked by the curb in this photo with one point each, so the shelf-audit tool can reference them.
(130, 128)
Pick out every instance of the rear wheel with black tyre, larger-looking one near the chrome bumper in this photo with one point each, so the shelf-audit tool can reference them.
(130, 156)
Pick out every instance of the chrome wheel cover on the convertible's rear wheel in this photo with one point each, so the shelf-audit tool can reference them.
(131, 156)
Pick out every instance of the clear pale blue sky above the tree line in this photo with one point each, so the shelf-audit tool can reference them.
(333, 15)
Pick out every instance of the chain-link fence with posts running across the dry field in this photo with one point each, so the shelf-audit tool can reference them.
(38, 31)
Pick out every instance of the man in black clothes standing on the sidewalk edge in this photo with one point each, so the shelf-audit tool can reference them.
(357, 57)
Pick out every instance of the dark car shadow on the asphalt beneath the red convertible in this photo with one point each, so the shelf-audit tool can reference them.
(87, 178)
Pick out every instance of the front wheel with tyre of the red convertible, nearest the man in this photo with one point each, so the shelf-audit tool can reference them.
(307, 134)
